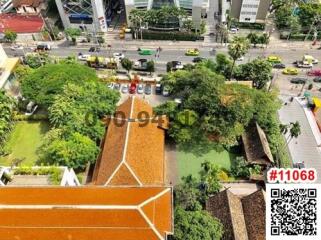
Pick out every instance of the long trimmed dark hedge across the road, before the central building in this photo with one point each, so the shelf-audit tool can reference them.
(179, 36)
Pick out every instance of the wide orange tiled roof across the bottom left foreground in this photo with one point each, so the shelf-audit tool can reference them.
(123, 213)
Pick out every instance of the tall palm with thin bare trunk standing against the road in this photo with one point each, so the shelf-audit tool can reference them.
(236, 49)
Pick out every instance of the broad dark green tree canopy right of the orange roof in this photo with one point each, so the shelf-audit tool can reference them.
(222, 111)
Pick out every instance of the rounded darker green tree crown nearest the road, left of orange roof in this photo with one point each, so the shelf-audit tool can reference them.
(45, 82)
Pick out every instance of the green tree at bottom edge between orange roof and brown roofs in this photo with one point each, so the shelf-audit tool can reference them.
(192, 225)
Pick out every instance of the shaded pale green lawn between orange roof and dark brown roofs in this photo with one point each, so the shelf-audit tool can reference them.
(190, 162)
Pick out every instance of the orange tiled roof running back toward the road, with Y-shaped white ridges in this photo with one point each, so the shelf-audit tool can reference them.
(132, 152)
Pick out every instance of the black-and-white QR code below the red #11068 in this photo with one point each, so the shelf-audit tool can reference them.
(292, 211)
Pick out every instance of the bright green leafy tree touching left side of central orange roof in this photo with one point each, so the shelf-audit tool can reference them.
(79, 108)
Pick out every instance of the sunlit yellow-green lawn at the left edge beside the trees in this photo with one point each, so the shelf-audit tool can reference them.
(24, 141)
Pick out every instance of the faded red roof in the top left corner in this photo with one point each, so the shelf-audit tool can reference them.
(20, 24)
